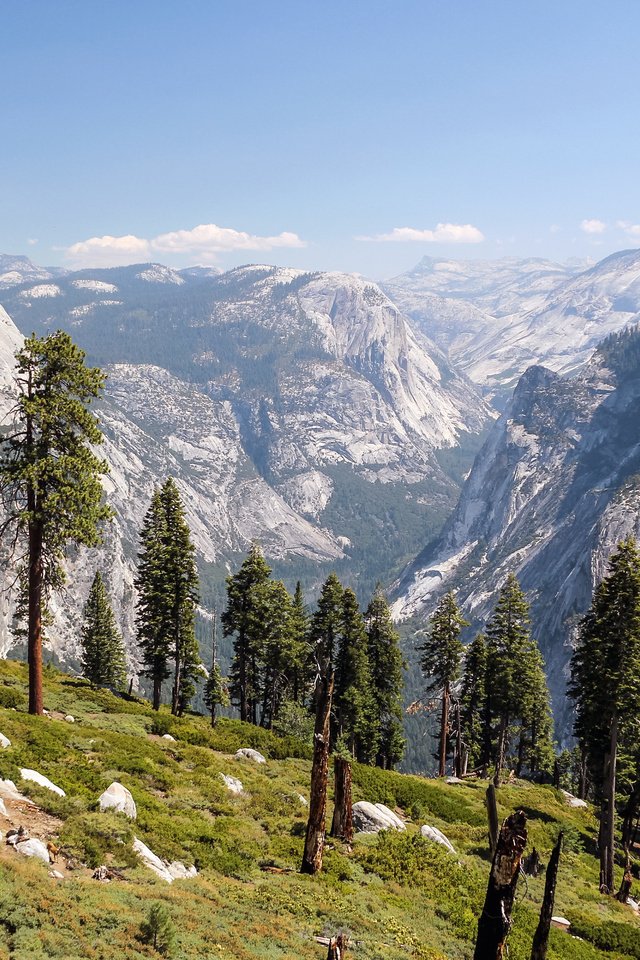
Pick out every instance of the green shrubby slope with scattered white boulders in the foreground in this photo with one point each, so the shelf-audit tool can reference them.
(397, 894)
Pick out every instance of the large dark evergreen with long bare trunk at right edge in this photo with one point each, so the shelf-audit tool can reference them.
(605, 684)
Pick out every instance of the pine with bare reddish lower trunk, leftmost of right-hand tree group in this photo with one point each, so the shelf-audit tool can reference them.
(441, 660)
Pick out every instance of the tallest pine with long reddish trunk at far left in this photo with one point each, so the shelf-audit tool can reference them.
(50, 476)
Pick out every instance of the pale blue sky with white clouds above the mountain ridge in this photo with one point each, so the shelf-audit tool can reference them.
(289, 131)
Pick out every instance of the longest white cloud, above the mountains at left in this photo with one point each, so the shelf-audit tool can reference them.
(206, 240)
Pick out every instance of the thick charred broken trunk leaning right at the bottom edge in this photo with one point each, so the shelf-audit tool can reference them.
(495, 920)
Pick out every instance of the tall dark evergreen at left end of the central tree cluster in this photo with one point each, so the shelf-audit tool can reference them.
(241, 620)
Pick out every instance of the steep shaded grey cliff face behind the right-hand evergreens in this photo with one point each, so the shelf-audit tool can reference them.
(554, 489)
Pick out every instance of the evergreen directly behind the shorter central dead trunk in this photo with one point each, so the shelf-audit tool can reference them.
(357, 720)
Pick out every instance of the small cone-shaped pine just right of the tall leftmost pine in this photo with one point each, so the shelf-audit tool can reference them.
(103, 656)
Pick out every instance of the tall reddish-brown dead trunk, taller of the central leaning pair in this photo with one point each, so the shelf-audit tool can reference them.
(314, 841)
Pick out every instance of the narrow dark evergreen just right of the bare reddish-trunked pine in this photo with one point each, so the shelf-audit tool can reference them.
(473, 703)
